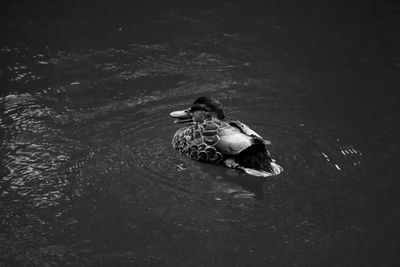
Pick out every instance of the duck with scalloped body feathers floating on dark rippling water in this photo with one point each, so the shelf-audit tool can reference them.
(210, 139)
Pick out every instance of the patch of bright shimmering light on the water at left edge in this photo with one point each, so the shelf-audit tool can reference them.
(31, 156)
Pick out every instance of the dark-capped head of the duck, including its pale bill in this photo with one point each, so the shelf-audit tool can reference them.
(203, 108)
